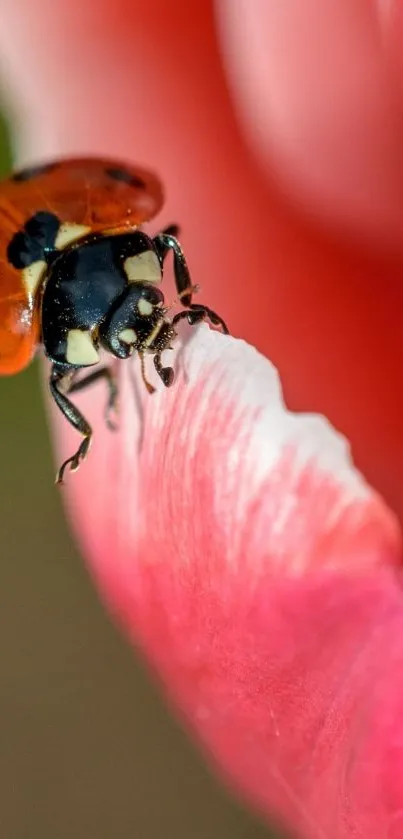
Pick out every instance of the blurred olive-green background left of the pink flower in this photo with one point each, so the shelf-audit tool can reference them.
(88, 750)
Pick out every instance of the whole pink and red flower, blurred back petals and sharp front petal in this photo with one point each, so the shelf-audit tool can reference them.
(234, 540)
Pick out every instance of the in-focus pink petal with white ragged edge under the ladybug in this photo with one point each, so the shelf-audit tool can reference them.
(238, 544)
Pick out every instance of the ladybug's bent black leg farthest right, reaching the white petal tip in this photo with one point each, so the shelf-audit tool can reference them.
(165, 242)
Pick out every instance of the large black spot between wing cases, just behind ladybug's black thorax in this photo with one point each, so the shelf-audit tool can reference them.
(36, 241)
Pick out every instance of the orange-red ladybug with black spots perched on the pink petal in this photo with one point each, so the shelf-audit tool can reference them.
(79, 275)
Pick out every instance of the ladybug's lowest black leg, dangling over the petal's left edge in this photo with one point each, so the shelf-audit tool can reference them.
(59, 380)
